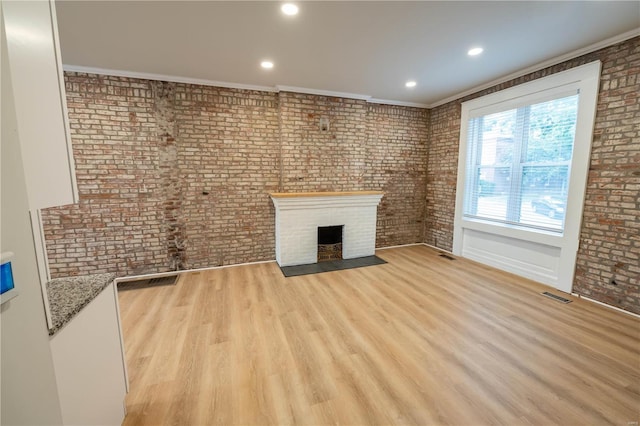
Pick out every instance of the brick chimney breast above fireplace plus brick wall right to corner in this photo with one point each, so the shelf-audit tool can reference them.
(367, 147)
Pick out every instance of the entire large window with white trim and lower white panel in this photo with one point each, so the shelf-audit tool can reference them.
(522, 175)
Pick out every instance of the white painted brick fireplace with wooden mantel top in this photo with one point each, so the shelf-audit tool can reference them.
(298, 216)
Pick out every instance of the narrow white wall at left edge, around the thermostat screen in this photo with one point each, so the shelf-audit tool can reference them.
(29, 394)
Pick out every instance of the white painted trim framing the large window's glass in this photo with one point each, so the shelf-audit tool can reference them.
(586, 78)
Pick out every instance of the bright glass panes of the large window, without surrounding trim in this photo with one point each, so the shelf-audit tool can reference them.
(519, 163)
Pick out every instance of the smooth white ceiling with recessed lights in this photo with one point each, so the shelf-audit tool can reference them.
(357, 47)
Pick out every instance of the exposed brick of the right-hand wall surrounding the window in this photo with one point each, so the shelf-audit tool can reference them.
(609, 241)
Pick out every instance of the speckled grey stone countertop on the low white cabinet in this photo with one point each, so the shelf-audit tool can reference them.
(67, 296)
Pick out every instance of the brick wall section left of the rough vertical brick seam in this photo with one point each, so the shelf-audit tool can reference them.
(117, 225)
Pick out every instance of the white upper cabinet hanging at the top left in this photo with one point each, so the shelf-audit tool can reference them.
(41, 110)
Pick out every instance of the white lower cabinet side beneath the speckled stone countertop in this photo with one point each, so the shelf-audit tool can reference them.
(89, 364)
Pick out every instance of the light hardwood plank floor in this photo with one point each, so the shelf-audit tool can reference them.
(420, 340)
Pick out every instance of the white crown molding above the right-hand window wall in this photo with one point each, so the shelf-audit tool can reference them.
(553, 61)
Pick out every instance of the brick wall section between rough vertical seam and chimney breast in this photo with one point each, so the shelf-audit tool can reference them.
(228, 154)
